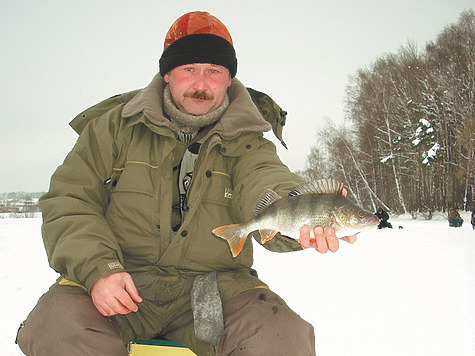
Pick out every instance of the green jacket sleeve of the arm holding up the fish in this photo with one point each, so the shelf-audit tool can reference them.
(258, 170)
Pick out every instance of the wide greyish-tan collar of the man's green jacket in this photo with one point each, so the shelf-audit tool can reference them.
(241, 116)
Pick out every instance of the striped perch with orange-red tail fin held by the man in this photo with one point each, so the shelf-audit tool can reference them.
(317, 203)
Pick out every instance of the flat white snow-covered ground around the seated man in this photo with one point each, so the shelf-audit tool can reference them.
(407, 291)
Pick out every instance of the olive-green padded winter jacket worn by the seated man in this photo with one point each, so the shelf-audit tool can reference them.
(108, 208)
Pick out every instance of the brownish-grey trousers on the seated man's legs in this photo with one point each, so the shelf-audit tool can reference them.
(257, 322)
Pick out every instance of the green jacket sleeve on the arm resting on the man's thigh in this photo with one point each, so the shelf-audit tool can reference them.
(78, 240)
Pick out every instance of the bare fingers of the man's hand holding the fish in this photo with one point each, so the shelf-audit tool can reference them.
(324, 239)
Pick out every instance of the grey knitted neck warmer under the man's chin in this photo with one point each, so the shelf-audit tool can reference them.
(187, 126)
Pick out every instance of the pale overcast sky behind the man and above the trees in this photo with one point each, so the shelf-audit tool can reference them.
(58, 57)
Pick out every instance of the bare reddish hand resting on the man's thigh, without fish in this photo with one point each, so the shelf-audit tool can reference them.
(115, 294)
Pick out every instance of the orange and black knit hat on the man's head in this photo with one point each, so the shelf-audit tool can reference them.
(198, 37)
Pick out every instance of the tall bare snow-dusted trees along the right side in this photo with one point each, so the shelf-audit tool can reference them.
(408, 141)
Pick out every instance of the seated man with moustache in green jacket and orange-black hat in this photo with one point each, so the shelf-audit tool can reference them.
(128, 218)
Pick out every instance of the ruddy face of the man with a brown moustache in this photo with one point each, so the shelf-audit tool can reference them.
(198, 88)
